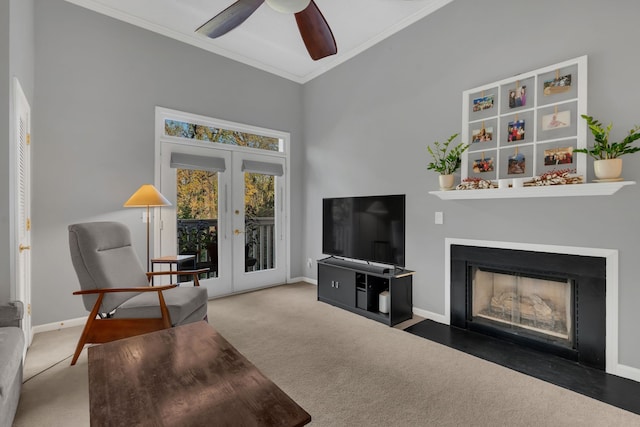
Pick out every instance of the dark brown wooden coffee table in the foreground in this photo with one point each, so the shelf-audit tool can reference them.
(184, 376)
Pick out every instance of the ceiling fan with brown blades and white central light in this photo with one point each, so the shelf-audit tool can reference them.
(315, 31)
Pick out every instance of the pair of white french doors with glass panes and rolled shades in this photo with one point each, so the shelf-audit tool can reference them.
(228, 213)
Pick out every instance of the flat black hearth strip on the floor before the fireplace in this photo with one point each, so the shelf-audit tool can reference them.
(620, 392)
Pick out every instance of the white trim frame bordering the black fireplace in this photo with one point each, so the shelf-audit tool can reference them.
(611, 257)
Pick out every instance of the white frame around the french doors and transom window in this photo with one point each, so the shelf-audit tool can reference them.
(162, 113)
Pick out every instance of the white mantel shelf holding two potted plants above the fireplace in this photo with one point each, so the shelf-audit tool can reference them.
(593, 189)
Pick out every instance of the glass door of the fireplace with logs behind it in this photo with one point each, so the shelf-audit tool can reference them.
(518, 304)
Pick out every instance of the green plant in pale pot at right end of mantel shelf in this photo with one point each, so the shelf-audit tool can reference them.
(607, 163)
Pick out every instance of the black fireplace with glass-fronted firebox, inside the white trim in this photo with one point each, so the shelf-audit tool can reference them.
(553, 302)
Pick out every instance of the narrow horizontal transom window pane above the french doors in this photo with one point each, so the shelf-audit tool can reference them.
(220, 136)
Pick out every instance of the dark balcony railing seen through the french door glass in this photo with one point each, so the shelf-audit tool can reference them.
(199, 237)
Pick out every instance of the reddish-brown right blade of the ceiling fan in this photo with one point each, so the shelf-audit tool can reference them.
(315, 32)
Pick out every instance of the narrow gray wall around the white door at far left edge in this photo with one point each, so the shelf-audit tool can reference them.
(16, 60)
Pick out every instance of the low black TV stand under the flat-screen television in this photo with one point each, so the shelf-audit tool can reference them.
(356, 287)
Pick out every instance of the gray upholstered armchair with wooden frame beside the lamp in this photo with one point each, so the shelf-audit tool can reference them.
(116, 290)
